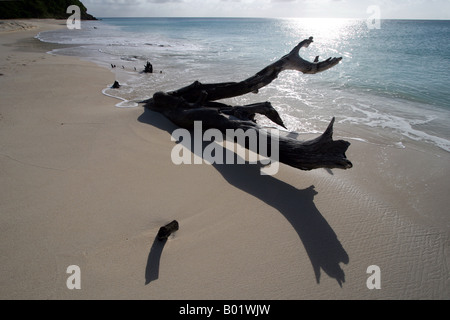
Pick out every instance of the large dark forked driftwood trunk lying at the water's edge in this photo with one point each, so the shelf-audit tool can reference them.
(198, 102)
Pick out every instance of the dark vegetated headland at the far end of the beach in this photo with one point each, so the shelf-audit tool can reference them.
(43, 9)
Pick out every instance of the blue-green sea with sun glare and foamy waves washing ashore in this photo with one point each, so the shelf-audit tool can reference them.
(393, 81)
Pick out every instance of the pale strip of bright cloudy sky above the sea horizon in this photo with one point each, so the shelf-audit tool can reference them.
(389, 9)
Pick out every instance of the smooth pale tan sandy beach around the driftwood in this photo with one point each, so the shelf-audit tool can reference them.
(85, 183)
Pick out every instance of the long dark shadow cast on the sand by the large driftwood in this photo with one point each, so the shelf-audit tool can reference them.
(297, 206)
